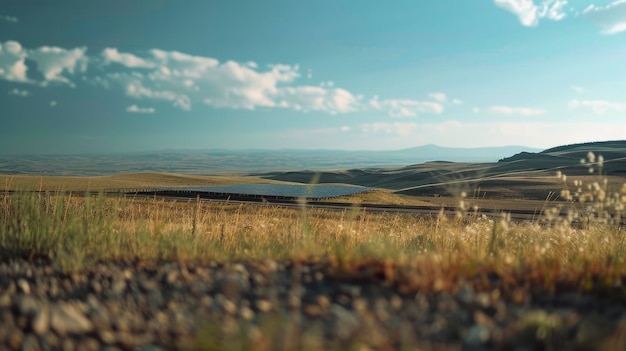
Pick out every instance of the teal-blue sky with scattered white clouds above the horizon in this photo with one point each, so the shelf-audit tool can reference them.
(82, 76)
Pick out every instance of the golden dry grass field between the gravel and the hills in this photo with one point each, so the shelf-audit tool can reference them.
(77, 231)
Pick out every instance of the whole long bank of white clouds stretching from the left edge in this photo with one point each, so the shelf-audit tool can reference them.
(185, 80)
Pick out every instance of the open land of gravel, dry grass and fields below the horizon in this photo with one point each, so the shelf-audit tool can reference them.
(84, 268)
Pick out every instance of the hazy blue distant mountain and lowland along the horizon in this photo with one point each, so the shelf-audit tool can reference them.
(244, 161)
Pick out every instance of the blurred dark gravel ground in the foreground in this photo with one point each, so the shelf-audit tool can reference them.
(277, 306)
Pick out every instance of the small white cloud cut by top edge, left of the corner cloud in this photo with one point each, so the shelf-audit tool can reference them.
(529, 13)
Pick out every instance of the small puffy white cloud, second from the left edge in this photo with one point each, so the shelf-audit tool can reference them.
(54, 61)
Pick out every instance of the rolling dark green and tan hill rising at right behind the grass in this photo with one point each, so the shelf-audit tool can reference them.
(524, 175)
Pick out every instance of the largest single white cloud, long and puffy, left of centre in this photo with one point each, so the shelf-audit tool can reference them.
(186, 79)
